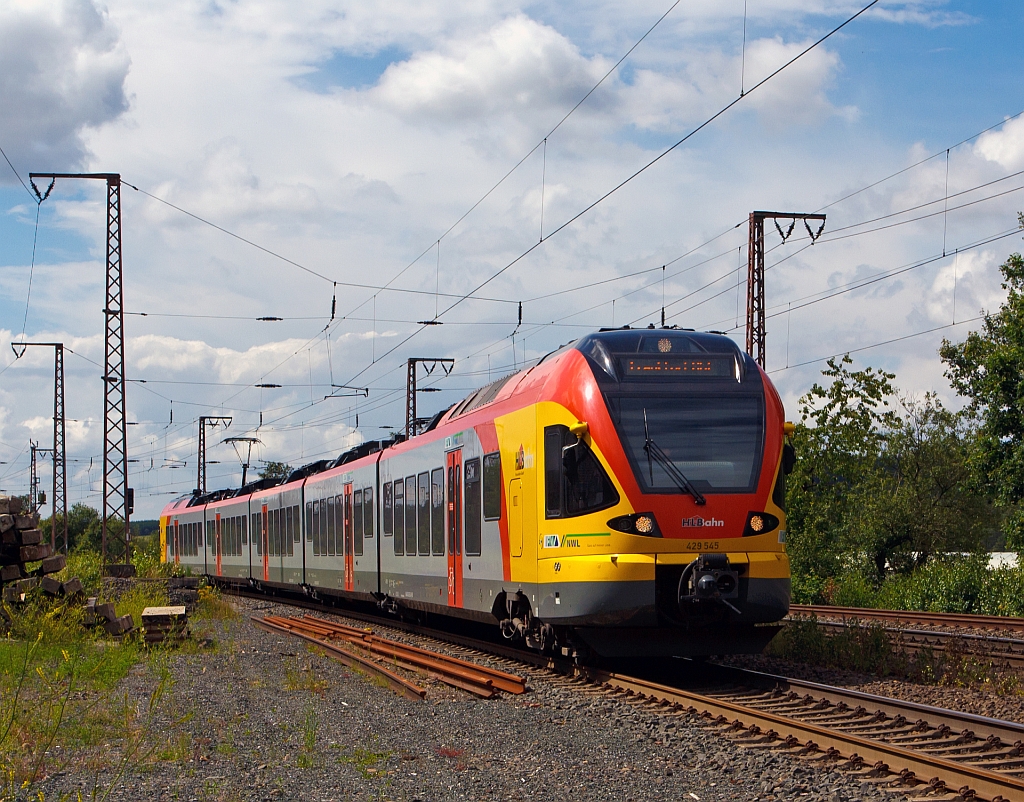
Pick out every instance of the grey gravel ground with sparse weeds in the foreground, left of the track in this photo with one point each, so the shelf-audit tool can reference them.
(260, 716)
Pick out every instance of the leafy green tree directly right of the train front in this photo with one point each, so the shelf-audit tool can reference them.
(878, 491)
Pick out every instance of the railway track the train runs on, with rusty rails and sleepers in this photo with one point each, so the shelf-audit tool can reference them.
(918, 749)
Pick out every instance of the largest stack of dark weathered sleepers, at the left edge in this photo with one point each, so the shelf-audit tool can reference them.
(22, 542)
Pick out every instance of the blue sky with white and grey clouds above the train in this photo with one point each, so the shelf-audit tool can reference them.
(356, 168)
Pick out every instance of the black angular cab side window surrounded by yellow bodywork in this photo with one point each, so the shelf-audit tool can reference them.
(576, 484)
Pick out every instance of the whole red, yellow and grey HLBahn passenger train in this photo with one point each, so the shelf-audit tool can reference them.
(623, 497)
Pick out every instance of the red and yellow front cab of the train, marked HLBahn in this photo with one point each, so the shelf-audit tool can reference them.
(628, 561)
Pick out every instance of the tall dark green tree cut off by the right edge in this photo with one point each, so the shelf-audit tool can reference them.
(989, 369)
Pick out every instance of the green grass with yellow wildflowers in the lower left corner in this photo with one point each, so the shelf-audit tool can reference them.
(60, 698)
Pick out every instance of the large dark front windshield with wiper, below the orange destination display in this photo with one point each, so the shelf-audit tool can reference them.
(715, 441)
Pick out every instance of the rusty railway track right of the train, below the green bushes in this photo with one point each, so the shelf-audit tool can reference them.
(1003, 652)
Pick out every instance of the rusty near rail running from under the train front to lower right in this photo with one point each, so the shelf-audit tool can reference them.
(986, 784)
